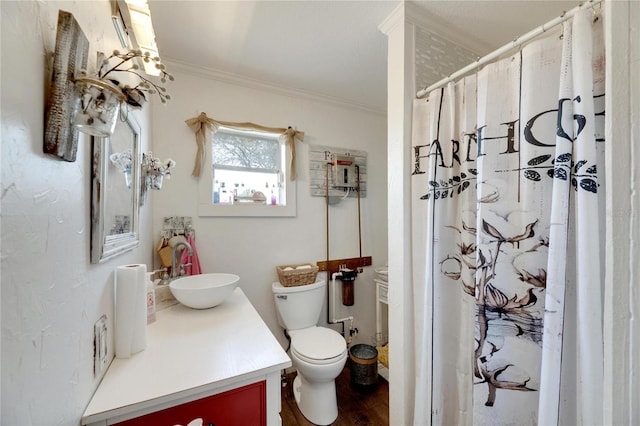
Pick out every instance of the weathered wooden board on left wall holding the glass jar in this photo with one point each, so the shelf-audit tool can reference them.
(71, 54)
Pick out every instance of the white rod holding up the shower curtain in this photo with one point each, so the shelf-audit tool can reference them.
(507, 47)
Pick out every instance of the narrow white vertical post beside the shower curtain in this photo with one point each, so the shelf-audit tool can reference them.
(401, 90)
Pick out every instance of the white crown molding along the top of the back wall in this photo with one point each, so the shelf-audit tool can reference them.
(240, 80)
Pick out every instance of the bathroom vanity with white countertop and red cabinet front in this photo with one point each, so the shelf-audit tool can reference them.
(221, 364)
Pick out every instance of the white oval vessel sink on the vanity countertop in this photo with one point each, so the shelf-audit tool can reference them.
(204, 291)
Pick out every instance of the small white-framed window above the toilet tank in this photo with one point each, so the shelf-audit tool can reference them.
(247, 176)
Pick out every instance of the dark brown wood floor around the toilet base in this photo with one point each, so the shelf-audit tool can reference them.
(355, 407)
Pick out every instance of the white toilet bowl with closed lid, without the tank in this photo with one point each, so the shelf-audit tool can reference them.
(319, 355)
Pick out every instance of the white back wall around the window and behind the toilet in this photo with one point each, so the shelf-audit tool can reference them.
(252, 247)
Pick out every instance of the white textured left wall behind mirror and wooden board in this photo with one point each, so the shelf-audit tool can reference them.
(51, 294)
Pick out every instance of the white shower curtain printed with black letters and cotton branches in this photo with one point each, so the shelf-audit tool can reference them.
(507, 228)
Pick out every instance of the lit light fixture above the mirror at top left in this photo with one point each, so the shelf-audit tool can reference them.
(132, 20)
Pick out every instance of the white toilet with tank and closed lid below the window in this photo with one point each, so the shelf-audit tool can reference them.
(318, 353)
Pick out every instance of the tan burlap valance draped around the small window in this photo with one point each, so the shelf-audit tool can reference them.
(204, 127)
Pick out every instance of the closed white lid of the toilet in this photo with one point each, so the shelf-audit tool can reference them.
(318, 343)
